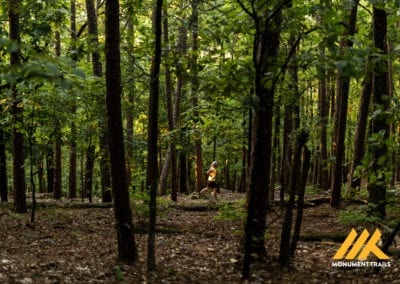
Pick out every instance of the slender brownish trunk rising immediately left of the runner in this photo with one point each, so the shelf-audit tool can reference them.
(195, 86)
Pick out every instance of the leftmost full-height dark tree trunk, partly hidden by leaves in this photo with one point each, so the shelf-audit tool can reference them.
(18, 137)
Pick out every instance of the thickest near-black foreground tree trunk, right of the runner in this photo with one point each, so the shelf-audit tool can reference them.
(266, 46)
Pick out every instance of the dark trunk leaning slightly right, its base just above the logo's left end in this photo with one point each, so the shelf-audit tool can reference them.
(343, 87)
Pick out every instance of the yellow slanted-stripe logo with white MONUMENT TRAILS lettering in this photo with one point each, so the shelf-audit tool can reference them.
(359, 249)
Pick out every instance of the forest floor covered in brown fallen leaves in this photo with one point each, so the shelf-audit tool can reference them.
(71, 244)
